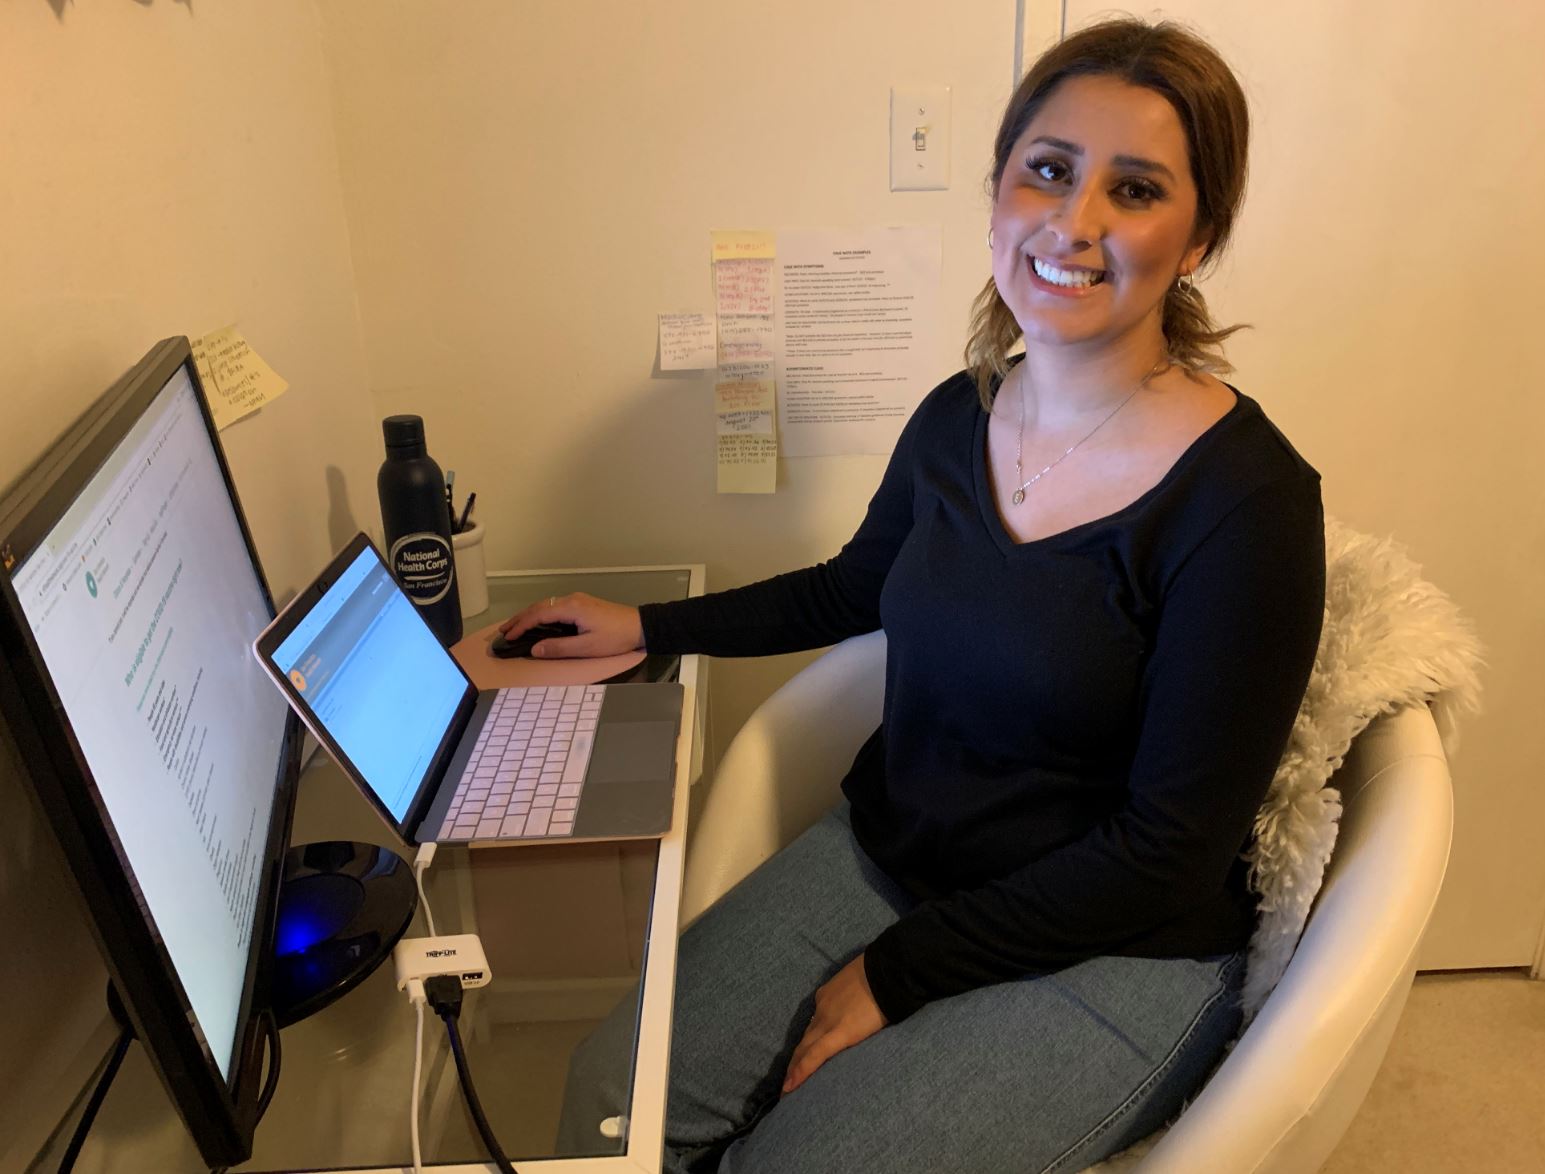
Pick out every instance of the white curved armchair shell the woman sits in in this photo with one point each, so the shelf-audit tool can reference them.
(1288, 1091)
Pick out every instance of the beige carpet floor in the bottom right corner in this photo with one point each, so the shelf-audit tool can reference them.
(1464, 1084)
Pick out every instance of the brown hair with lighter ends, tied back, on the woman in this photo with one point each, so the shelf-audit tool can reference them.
(1206, 97)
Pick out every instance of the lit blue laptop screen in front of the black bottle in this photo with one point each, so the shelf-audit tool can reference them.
(375, 679)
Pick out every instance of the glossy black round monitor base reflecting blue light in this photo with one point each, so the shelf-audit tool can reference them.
(342, 909)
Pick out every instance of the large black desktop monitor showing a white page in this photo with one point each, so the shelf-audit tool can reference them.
(161, 756)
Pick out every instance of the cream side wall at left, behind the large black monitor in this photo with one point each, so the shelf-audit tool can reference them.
(165, 169)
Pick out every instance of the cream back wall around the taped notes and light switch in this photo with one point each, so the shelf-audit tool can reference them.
(531, 185)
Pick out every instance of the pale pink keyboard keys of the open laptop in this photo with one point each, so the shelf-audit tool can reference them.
(528, 769)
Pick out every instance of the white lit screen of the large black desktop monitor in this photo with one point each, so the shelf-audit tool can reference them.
(143, 600)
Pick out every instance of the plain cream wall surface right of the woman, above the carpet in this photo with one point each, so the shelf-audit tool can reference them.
(1390, 260)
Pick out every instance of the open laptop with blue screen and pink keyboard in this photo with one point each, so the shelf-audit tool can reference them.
(444, 762)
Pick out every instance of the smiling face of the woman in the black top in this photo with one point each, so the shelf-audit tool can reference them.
(1095, 217)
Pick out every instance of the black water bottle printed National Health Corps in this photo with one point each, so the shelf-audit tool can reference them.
(418, 524)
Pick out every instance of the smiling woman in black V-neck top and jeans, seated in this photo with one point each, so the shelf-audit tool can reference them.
(1017, 945)
